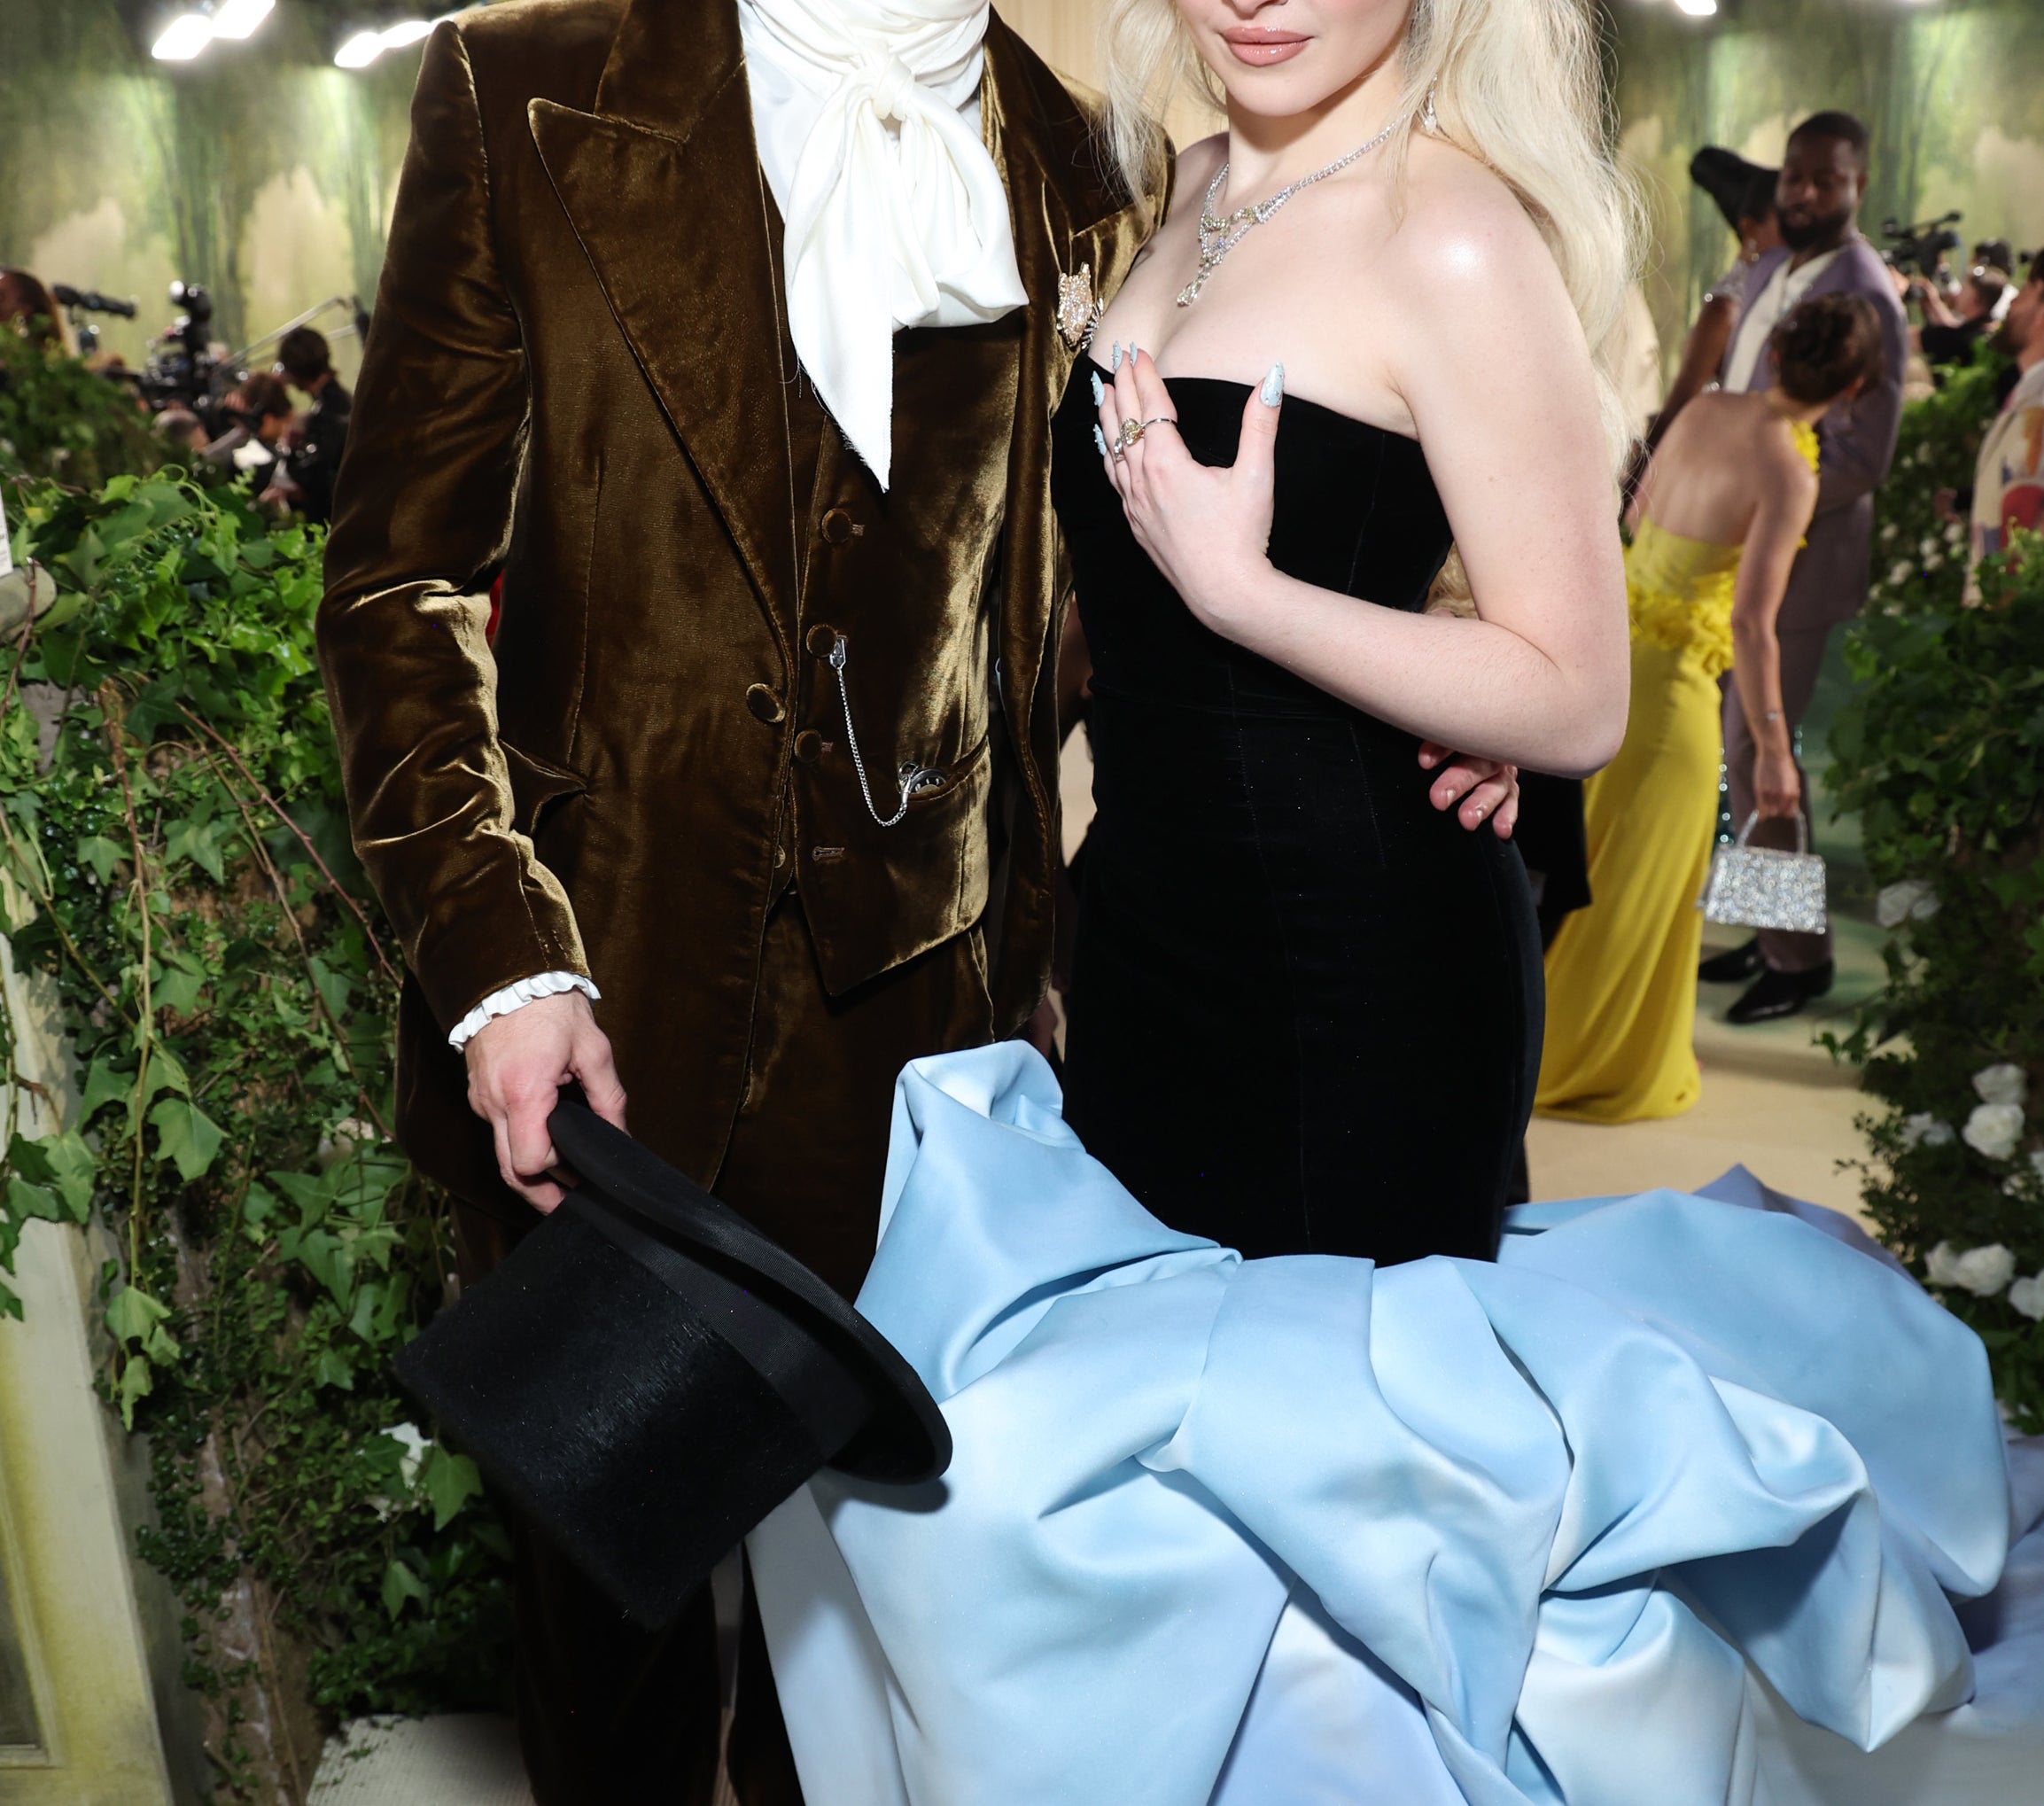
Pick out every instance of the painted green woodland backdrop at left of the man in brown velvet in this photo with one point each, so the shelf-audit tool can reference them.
(259, 169)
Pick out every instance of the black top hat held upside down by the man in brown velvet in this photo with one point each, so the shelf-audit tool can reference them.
(647, 1375)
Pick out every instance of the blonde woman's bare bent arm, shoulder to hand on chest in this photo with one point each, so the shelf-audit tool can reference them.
(1501, 392)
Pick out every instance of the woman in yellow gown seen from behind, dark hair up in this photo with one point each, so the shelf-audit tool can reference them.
(1716, 529)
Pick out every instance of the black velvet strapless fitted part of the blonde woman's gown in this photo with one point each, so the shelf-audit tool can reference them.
(1307, 1005)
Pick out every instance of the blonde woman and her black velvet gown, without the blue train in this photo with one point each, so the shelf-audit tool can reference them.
(1307, 1007)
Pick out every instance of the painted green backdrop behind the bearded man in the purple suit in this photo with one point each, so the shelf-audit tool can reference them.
(1955, 97)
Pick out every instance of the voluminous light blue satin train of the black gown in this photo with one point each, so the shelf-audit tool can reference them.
(1667, 1506)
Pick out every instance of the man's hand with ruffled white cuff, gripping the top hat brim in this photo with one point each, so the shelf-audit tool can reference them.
(516, 1069)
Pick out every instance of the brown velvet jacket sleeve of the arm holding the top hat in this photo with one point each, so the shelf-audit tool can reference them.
(422, 512)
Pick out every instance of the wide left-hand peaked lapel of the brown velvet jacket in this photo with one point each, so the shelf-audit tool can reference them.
(663, 189)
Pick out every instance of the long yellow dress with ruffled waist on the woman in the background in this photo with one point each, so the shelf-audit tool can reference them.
(1622, 975)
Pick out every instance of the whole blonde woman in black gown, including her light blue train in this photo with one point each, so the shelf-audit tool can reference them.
(1268, 1533)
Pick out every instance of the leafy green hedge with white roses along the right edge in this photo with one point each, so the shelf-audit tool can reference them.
(1941, 750)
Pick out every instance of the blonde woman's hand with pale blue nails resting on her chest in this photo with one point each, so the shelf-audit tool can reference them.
(1205, 529)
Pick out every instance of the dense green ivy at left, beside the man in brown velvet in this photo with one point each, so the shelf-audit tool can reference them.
(177, 868)
